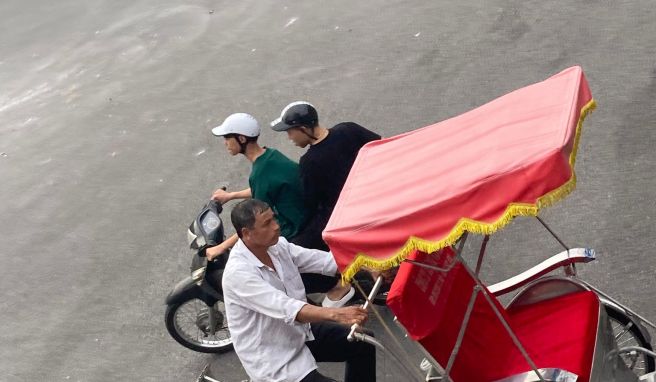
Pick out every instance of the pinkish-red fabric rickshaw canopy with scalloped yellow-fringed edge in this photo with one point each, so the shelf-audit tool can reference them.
(474, 172)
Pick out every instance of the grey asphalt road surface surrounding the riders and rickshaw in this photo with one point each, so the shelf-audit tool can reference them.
(106, 154)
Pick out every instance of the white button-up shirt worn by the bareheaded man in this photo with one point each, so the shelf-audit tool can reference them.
(262, 304)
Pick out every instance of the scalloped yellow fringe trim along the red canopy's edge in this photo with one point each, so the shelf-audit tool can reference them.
(464, 224)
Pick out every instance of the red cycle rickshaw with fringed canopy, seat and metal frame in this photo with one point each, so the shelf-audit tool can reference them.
(475, 173)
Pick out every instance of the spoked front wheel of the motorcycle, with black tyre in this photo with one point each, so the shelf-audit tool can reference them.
(194, 326)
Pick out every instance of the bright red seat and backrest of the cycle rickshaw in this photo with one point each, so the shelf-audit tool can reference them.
(556, 333)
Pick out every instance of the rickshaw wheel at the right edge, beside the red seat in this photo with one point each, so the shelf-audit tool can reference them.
(628, 334)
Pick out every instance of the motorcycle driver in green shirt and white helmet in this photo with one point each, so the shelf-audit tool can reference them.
(274, 179)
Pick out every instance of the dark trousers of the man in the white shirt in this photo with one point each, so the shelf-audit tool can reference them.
(330, 345)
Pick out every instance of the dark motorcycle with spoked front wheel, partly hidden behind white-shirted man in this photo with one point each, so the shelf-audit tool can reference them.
(195, 312)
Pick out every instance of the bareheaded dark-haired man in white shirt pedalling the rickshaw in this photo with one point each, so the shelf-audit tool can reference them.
(268, 314)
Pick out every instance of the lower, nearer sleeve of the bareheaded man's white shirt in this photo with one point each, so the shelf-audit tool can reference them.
(251, 291)
